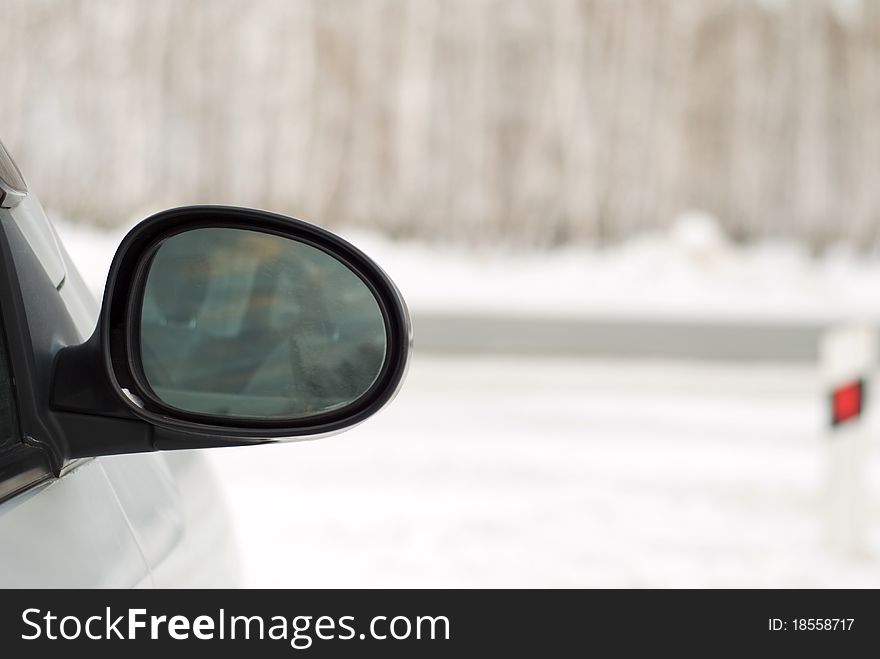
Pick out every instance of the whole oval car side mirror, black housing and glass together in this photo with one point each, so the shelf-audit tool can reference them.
(228, 326)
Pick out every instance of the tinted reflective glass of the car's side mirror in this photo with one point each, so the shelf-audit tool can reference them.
(247, 324)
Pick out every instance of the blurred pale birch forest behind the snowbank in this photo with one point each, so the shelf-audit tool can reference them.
(530, 122)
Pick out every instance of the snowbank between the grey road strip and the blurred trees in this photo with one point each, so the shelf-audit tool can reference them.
(690, 272)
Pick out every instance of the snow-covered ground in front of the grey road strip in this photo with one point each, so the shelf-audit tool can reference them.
(554, 472)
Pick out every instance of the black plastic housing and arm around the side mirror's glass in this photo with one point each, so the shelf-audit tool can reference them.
(99, 394)
